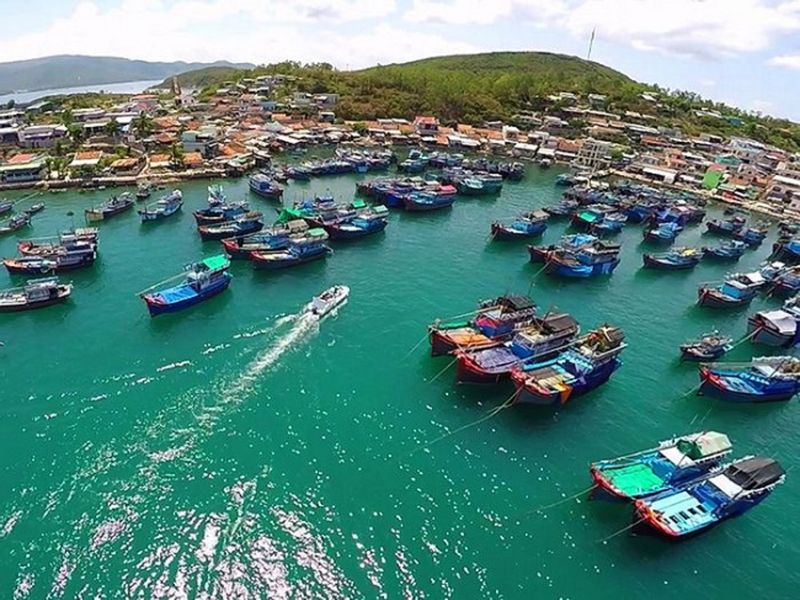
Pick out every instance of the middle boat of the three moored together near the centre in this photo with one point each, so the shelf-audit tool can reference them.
(544, 337)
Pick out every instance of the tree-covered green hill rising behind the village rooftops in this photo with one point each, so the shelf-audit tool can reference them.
(468, 88)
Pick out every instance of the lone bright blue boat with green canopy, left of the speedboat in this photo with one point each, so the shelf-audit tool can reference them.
(201, 281)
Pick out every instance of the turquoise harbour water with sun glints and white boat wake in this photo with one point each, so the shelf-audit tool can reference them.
(237, 451)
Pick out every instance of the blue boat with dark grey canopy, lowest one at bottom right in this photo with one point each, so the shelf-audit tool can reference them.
(720, 494)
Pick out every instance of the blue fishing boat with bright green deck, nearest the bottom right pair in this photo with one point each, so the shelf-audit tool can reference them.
(672, 463)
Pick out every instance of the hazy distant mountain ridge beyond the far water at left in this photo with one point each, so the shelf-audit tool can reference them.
(54, 72)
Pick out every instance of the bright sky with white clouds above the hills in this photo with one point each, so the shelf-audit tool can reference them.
(743, 52)
